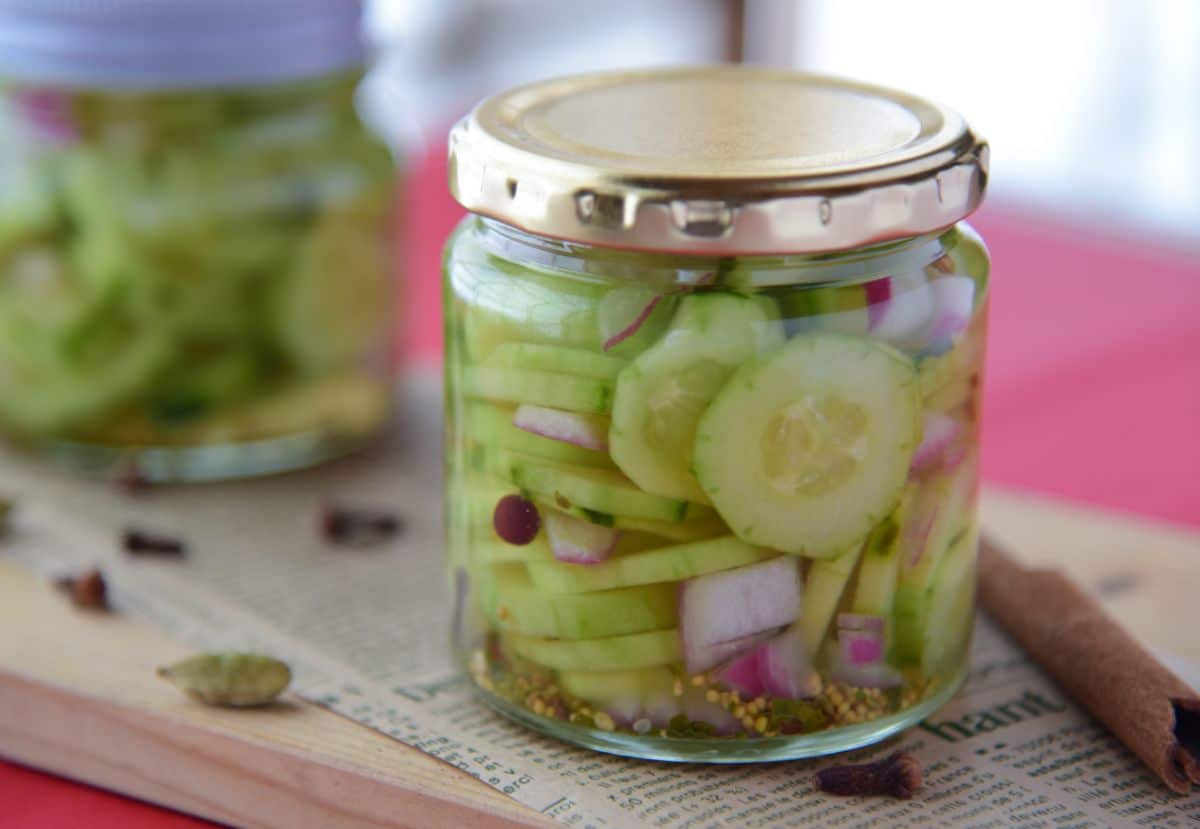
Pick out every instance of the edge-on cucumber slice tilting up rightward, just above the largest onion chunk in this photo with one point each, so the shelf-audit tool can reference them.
(653, 567)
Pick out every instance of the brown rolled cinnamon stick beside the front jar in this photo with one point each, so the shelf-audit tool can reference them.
(1150, 710)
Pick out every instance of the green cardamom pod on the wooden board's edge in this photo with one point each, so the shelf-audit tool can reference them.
(235, 680)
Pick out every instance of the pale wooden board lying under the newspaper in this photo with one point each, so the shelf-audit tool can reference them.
(79, 695)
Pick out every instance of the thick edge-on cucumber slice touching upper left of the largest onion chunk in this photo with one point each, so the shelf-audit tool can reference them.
(521, 609)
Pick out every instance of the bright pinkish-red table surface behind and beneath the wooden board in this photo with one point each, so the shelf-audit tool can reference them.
(1093, 393)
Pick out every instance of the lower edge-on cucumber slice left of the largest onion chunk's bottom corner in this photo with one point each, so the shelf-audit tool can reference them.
(613, 653)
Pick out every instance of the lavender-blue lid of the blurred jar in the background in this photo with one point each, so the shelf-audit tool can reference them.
(166, 45)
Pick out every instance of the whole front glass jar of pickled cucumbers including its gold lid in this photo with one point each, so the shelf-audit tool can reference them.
(713, 410)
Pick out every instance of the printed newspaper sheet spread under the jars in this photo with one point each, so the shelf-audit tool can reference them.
(367, 633)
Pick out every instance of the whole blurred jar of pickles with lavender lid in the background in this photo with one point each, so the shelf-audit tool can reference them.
(195, 259)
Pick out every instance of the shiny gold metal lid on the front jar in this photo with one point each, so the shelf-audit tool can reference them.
(717, 160)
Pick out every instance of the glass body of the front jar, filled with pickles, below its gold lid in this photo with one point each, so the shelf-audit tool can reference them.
(713, 509)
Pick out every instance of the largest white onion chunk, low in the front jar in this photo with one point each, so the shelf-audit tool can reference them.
(721, 612)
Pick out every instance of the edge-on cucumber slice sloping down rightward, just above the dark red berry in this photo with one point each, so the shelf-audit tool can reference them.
(596, 490)
